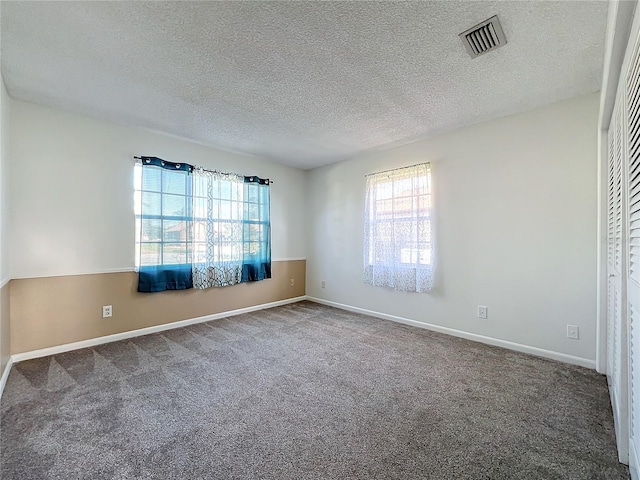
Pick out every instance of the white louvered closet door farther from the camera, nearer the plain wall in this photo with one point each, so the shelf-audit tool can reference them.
(617, 338)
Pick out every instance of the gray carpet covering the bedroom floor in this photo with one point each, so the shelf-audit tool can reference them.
(304, 391)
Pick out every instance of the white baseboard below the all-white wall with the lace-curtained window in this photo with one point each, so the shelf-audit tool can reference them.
(540, 352)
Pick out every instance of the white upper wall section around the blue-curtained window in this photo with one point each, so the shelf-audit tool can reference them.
(72, 191)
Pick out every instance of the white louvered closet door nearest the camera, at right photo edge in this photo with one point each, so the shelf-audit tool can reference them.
(632, 191)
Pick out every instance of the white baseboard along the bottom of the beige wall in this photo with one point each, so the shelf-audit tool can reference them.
(44, 352)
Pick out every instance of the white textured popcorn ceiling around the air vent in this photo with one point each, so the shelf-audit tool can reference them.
(301, 83)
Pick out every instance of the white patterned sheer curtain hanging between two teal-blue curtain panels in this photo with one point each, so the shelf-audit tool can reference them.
(218, 210)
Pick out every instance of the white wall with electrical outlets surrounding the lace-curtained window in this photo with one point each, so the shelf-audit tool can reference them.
(515, 200)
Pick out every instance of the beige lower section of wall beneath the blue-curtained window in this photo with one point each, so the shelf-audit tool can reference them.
(51, 311)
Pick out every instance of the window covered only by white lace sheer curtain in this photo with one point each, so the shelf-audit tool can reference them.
(398, 247)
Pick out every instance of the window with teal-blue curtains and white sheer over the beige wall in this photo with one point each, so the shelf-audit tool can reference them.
(199, 228)
